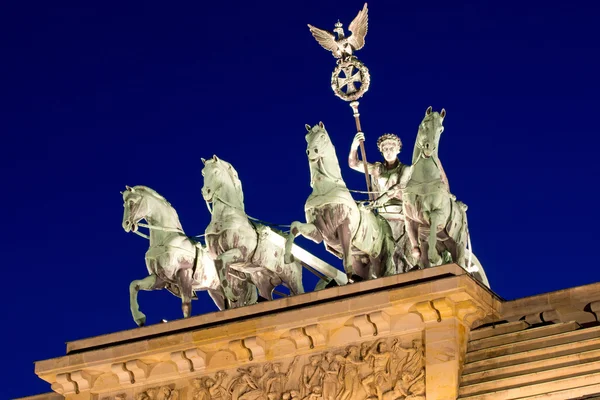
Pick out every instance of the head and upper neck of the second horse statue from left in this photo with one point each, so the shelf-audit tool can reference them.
(221, 182)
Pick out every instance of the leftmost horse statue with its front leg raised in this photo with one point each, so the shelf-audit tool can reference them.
(174, 261)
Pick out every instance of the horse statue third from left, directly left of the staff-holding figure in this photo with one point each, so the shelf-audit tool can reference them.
(362, 239)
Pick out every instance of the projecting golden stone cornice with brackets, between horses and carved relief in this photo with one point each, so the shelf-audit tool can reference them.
(366, 310)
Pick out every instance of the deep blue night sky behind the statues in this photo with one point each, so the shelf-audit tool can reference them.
(94, 98)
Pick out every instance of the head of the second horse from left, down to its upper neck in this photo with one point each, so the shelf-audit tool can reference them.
(218, 173)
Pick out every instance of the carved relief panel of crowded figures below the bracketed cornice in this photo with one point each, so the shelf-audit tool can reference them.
(376, 370)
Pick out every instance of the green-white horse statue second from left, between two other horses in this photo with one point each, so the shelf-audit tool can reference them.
(236, 244)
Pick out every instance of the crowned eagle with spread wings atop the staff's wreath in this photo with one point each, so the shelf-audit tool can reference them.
(343, 47)
